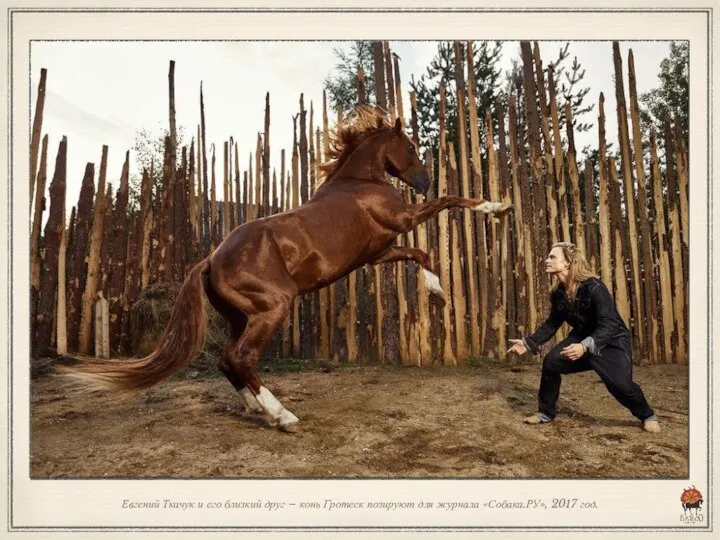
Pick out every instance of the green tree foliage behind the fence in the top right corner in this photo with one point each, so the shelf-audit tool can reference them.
(670, 101)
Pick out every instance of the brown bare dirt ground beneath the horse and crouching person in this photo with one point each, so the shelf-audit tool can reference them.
(363, 422)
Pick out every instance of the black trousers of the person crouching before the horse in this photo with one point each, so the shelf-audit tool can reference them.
(613, 364)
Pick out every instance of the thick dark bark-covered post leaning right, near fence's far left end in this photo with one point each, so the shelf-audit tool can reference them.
(54, 228)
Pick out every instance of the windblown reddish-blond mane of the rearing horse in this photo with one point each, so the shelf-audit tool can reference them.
(363, 122)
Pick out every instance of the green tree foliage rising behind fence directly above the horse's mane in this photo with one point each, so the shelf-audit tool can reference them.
(342, 85)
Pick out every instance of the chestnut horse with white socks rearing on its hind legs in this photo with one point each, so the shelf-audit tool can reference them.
(254, 275)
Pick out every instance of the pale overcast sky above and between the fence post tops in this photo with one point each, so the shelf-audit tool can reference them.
(103, 92)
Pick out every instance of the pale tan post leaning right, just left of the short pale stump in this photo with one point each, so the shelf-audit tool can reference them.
(88, 298)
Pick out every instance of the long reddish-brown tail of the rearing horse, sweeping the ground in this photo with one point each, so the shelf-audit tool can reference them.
(182, 339)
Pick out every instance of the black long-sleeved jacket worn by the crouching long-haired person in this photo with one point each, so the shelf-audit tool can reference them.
(592, 315)
